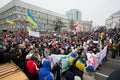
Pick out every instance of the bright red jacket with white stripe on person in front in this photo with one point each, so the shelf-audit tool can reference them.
(32, 67)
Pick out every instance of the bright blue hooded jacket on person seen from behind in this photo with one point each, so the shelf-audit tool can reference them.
(44, 72)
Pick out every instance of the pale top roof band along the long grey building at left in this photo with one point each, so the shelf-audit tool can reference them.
(29, 6)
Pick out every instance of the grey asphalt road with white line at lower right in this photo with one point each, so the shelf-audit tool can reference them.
(107, 68)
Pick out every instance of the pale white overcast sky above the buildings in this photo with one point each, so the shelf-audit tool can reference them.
(96, 10)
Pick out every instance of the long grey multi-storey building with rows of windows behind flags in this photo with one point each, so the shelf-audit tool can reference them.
(17, 11)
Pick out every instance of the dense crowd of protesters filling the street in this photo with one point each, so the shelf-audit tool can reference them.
(31, 54)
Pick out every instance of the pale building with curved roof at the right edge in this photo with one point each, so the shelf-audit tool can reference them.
(113, 21)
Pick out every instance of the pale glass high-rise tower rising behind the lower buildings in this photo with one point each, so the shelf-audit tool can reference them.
(74, 14)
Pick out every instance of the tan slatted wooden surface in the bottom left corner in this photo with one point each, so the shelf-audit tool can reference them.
(11, 71)
